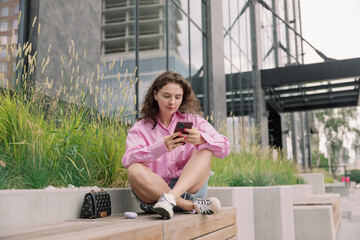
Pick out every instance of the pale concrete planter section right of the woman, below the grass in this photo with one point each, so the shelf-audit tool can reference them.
(263, 212)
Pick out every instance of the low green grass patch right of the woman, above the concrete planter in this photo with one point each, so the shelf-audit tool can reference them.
(255, 167)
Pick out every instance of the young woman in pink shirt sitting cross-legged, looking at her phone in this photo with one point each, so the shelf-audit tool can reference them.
(169, 170)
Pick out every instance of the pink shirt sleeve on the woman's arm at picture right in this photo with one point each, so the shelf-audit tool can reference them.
(218, 144)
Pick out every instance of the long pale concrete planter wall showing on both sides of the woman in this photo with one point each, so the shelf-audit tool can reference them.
(262, 212)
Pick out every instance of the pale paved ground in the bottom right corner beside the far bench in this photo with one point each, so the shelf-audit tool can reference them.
(350, 222)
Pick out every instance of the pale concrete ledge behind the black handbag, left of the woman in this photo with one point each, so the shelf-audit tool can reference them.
(20, 208)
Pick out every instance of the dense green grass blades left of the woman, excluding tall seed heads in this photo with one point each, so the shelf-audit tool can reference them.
(67, 145)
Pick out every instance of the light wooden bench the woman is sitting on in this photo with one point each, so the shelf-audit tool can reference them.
(146, 226)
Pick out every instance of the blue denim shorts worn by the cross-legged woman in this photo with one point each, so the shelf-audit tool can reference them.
(201, 193)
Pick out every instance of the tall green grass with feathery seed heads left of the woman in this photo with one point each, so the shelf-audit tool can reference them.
(45, 140)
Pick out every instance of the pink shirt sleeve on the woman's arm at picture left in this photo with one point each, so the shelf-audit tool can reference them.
(138, 150)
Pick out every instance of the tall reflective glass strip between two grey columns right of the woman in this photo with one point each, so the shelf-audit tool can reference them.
(238, 61)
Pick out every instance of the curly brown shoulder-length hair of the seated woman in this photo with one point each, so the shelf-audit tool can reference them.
(189, 104)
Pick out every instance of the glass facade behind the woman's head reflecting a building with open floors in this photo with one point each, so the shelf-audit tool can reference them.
(166, 35)
